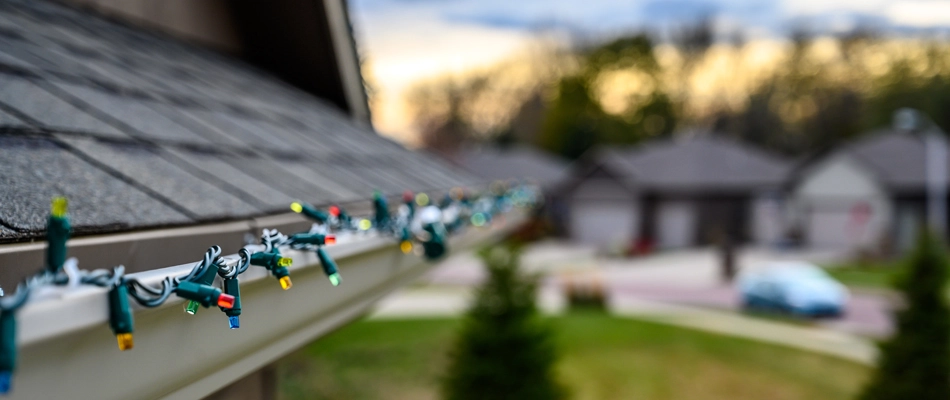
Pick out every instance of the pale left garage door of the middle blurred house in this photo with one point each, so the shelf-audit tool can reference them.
(604, 222)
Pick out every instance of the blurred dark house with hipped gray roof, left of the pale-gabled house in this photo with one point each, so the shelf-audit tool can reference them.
(687, 191)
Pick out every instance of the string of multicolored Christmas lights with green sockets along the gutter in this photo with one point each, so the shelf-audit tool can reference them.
(417, 221)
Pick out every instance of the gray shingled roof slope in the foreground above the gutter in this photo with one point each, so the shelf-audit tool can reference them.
(140, 130)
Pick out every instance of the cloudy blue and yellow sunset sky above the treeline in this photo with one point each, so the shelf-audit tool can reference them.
(405, 41)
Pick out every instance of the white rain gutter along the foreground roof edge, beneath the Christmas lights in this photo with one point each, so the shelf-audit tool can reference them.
(66, 349)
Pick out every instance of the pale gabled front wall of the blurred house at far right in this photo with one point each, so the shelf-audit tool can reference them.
(840, 205)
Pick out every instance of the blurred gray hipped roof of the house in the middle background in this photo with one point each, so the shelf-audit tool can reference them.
(699, 163)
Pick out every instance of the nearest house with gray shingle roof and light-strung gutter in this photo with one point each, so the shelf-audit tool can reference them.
(172, 127)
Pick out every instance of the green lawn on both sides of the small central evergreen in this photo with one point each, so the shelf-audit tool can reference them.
(601, 358)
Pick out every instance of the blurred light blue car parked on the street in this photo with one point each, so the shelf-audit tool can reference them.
(796, 288)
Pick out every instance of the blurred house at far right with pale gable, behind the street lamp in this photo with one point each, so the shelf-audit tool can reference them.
(869, 195)
